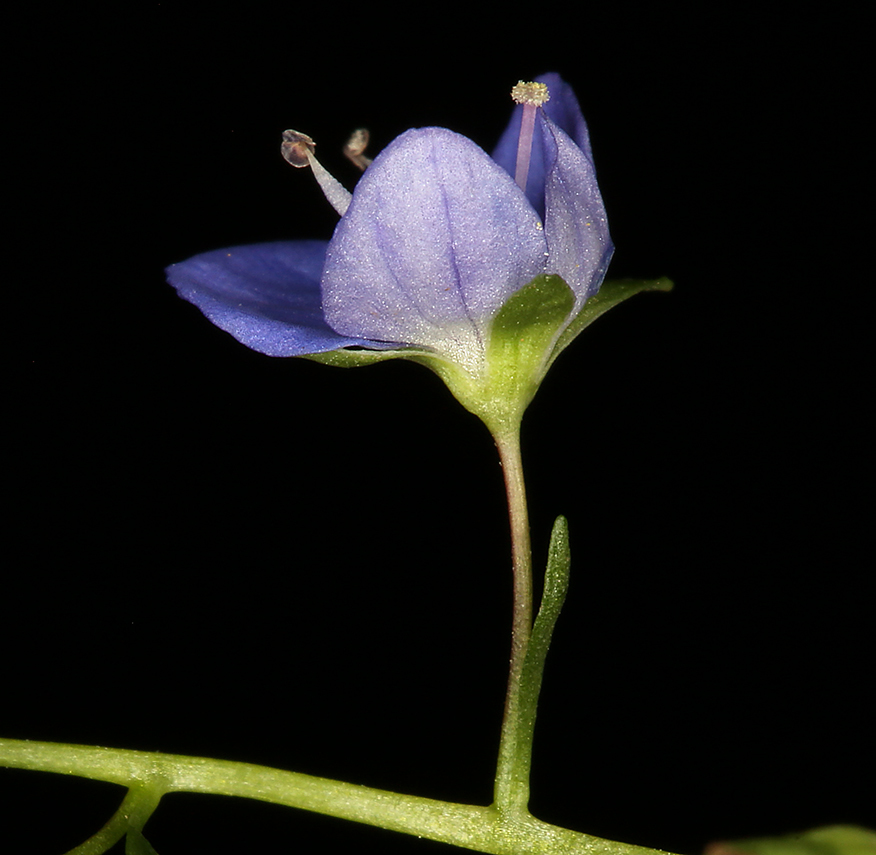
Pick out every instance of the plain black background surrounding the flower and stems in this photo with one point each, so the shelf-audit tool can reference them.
(217, 553)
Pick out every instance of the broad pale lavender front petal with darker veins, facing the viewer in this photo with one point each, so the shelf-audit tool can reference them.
(436, 239)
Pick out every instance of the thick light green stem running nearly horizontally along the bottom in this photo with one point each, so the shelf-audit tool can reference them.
(482, 829)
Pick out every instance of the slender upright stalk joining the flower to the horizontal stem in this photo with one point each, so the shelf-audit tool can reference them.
(512, 774)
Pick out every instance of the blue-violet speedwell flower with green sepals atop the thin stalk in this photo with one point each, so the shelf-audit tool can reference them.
(440, 256)
